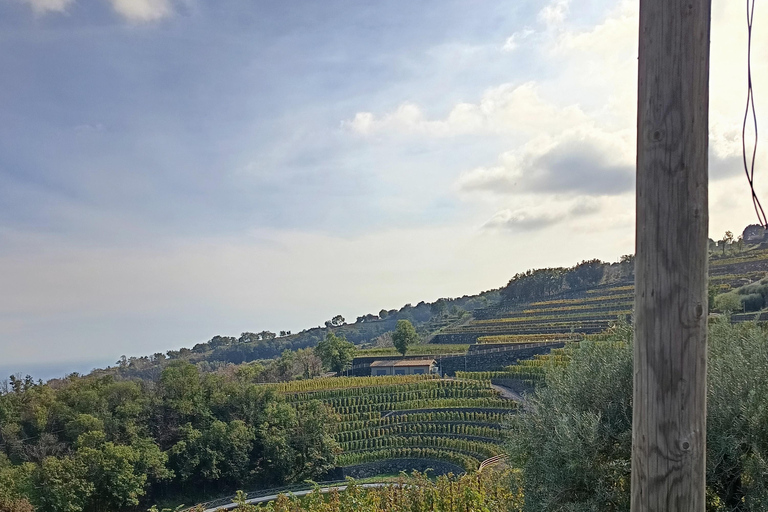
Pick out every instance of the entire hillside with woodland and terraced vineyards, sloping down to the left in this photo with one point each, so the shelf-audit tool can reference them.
(193, 423)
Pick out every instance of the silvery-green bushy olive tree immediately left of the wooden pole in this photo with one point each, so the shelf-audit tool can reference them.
(574, 446)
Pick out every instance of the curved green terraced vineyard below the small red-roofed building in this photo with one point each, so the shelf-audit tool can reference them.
(425, 417)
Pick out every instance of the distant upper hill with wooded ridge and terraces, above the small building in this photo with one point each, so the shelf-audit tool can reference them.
(537, 305)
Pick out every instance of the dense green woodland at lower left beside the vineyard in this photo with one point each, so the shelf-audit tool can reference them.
(98, 443)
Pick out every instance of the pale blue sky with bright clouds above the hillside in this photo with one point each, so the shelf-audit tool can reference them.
(171, 170)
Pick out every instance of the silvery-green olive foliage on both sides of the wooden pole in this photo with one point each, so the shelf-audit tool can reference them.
(574, 443)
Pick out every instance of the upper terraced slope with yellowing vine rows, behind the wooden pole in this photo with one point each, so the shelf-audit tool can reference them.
(563, 311)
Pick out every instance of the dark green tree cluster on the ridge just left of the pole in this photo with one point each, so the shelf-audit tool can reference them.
(544, 282)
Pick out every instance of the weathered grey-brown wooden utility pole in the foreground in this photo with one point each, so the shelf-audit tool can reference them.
(669, 417)
